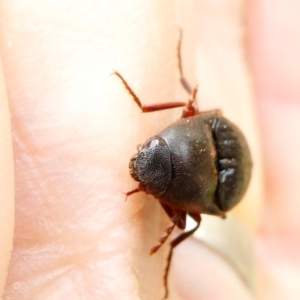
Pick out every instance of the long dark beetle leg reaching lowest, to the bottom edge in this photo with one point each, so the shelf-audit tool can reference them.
(174, 243)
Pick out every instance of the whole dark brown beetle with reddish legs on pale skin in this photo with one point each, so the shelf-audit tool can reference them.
(201, 164)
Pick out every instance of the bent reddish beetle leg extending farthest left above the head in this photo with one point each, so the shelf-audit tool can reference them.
(148, 108)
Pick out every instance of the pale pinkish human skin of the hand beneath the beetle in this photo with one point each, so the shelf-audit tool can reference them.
(74, 128)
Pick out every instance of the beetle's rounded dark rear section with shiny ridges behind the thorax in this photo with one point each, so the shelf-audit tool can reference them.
(234, 163)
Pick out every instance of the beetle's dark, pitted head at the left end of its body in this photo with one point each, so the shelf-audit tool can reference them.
(152, 166)
